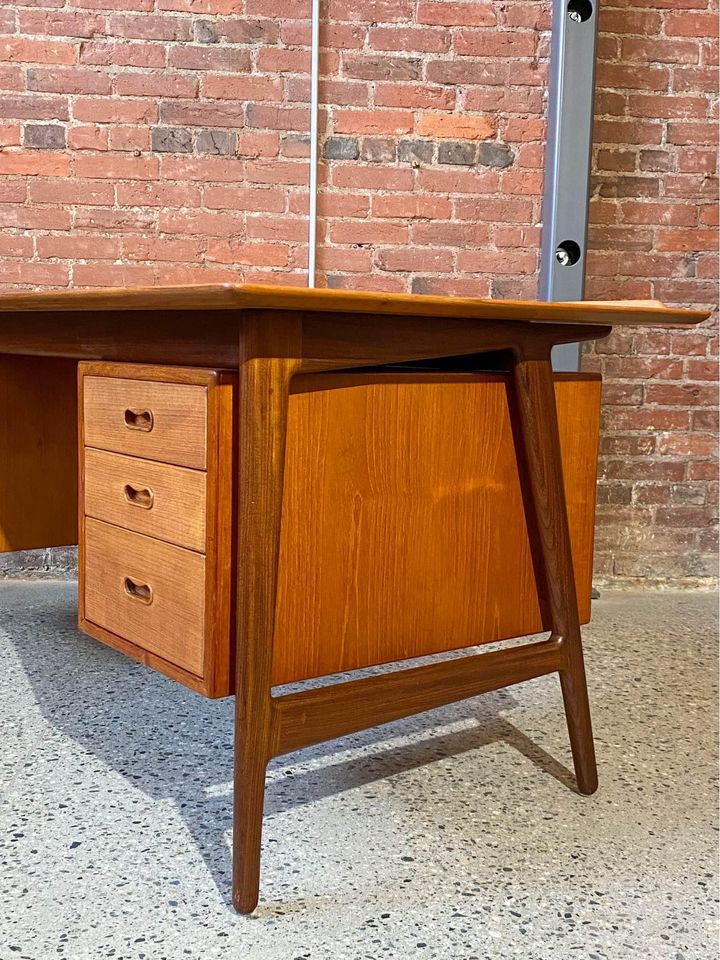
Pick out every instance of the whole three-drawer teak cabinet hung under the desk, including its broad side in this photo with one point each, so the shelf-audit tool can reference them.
(403, 531)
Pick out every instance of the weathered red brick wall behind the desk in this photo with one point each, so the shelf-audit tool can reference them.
(164, 141)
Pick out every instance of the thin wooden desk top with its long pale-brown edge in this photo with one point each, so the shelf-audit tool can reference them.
(247, 296)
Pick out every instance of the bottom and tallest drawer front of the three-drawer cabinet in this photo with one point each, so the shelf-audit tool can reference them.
(145, 591)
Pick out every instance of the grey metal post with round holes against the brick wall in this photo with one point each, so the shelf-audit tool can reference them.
(568, 159)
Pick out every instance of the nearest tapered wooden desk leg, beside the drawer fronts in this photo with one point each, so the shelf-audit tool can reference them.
(263, 386)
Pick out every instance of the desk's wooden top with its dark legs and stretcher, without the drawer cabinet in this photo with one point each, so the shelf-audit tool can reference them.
(271, 335)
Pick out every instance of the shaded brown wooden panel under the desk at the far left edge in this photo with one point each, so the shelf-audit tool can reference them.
(38, 452)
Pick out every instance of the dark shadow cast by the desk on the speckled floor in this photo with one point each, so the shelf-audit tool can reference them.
(174, 744)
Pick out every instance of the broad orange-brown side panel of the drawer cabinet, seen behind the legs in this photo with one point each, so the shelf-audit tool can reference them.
(403, 531)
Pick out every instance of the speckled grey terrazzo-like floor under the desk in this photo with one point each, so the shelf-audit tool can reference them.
(451, 835)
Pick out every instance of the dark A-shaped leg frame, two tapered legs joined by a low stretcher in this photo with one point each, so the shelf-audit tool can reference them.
(266, 726)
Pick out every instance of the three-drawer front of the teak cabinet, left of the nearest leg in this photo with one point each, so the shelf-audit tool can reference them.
(156, 533)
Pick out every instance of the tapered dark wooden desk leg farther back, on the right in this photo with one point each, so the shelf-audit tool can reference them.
(538, 443)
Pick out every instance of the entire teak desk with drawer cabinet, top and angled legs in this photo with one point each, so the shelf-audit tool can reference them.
(279, 484)
